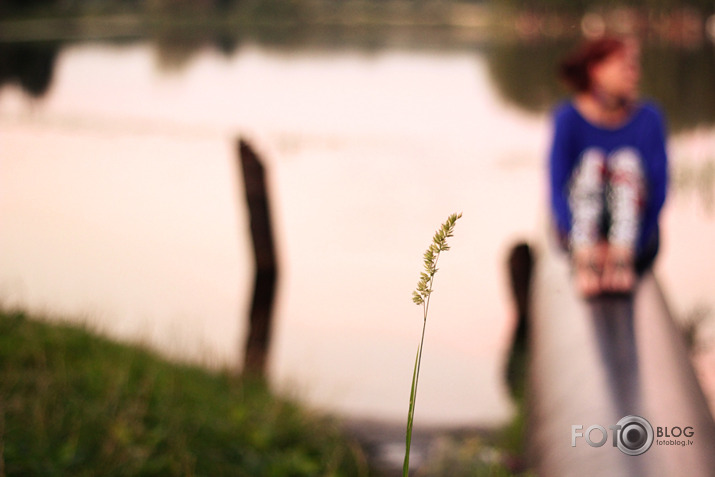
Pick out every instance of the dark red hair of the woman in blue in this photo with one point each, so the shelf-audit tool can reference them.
(574, 69)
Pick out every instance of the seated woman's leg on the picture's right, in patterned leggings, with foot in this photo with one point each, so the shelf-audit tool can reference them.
(624, 200)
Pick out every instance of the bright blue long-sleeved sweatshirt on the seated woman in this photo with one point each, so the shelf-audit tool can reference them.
(644, 131)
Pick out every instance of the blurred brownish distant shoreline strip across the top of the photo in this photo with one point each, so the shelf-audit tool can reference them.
(426, 23)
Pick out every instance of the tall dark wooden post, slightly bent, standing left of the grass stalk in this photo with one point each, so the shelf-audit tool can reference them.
(259, 330)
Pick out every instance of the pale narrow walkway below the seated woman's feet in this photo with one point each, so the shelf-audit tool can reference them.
(595, 362)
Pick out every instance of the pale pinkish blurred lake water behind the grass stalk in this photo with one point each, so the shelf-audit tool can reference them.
(121, 204)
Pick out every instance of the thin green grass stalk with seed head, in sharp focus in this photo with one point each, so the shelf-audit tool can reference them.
(421, 297)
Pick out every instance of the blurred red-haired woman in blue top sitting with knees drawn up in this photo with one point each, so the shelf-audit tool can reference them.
(608, 168)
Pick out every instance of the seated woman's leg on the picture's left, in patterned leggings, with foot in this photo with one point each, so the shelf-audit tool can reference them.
(586, 201)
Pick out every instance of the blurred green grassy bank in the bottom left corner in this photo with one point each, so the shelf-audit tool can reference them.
(73, 403)
